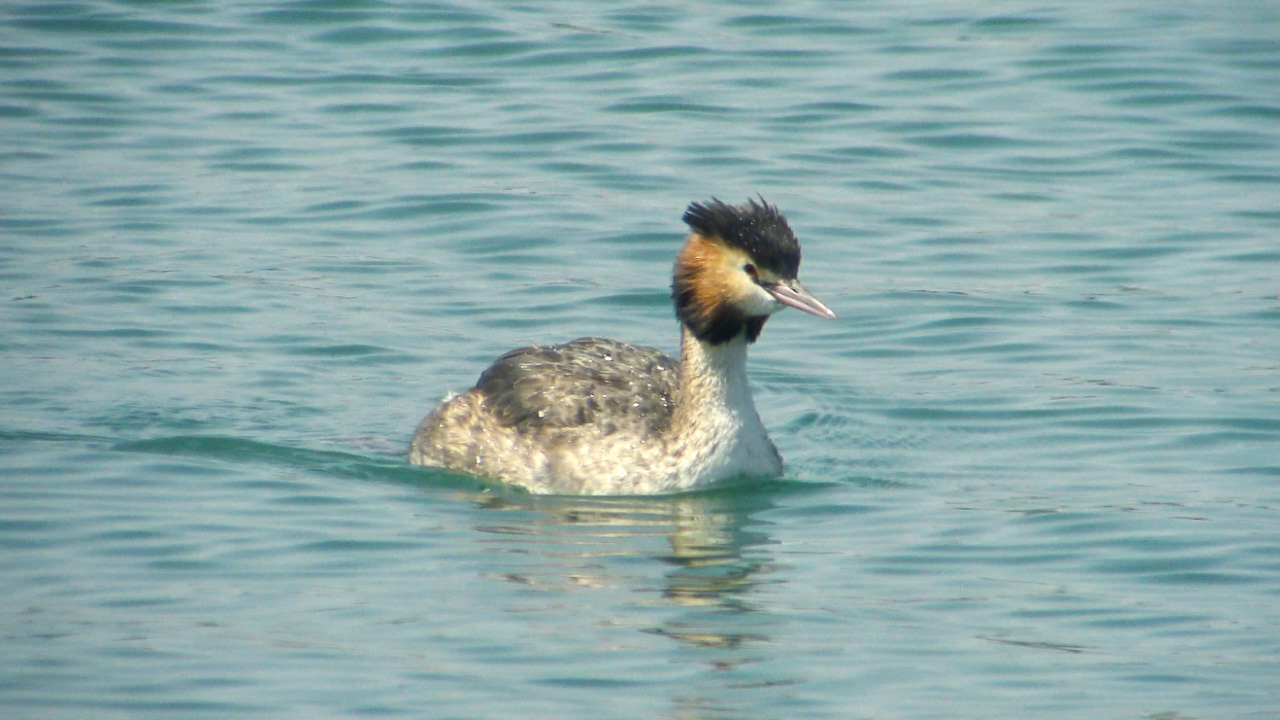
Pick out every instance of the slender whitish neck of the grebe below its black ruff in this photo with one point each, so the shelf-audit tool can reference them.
(714, 381)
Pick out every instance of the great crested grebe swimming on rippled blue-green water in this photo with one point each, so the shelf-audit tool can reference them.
(600, 417)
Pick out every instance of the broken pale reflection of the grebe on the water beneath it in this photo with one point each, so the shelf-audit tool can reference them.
(706, 549)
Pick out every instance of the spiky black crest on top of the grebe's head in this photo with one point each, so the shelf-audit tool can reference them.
(756, 229)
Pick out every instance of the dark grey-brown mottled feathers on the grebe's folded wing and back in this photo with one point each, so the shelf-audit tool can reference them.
(588, 381)
